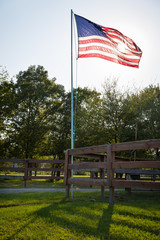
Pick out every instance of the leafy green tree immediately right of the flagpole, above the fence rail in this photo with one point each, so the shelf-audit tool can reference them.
(89, 121)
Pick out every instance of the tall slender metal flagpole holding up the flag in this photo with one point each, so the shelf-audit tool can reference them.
(72, 103)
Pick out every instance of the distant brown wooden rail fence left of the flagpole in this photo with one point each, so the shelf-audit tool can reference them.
(28, 166)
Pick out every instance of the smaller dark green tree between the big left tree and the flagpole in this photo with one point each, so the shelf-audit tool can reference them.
(59, 136)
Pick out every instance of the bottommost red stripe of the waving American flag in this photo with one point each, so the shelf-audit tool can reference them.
(107, 58)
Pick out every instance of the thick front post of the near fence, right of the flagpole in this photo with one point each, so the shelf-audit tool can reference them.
(110, 173)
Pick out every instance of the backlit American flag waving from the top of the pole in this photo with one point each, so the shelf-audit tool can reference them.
(108, 43)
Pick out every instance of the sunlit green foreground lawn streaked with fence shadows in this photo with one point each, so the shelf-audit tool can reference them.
(88, 216)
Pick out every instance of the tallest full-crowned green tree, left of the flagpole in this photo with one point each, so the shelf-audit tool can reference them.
(37, 100)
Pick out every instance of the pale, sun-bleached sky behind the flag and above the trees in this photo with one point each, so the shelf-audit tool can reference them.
(38, 32)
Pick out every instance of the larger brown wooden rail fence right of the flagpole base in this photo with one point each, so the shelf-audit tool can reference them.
(108, 165)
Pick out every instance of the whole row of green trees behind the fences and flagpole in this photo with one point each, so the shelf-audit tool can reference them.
(35, 115)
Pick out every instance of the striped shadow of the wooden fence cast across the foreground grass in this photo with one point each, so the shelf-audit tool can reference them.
(88, 218)
